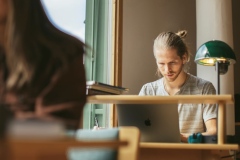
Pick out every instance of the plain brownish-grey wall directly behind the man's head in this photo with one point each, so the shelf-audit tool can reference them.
(143, 20)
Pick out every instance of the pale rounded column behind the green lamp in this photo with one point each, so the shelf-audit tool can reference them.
(217, 26)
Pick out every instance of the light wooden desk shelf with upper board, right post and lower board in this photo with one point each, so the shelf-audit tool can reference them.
(221, 100)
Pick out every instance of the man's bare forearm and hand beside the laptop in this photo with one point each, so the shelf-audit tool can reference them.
(211, 129)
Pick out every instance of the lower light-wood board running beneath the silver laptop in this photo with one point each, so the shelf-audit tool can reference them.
(190, 146)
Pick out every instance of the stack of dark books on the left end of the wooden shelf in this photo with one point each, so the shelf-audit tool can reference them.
(97, 88)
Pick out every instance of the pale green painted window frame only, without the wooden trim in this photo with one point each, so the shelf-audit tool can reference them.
(97, 61)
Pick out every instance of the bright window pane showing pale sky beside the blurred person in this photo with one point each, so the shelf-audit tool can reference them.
(68, 16)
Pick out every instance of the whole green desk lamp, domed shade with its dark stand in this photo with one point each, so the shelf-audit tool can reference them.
(216, 53)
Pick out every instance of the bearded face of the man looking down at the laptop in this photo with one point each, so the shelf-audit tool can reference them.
(169, 63)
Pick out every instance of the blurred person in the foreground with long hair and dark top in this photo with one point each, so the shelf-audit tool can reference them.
(42, 73)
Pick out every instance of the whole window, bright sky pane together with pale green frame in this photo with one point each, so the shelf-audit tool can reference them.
(91, 22)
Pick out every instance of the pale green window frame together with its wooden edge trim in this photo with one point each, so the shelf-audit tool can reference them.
(93, 63)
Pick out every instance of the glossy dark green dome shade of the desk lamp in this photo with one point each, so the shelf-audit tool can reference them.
(212, 51)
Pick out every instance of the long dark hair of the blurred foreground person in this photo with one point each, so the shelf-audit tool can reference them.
(35, 48)
